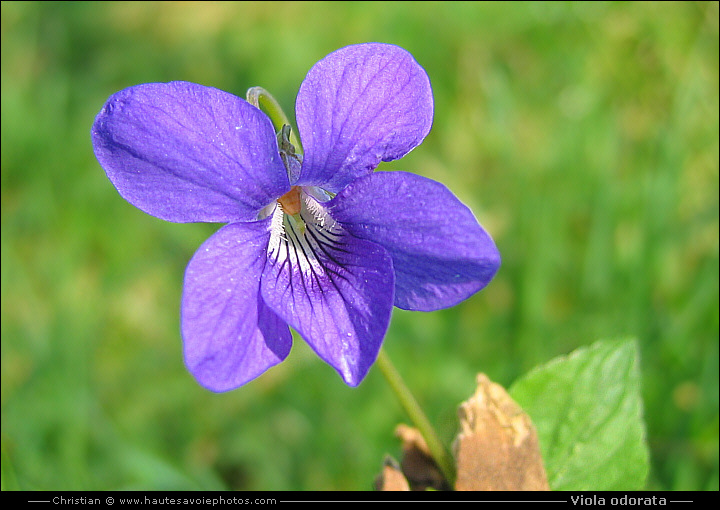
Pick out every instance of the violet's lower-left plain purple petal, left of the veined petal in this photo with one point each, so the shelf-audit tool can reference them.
(230, 335)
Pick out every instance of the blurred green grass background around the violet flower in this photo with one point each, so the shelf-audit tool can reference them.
(583, 135)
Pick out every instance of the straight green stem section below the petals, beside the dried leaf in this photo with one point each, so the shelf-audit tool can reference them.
(440, 454)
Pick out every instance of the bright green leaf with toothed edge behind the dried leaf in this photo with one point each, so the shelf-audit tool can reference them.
(587, 410)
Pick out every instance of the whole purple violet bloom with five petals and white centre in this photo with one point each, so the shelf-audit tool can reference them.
(314, 241)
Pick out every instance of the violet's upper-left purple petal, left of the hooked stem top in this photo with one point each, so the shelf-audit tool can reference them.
(184, 152)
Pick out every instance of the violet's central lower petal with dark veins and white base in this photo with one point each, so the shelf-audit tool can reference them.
(334, 289)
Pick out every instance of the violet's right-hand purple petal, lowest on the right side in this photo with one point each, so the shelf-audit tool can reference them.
(440, 253)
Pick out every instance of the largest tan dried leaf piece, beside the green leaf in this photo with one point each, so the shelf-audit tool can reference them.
(497, 447)
